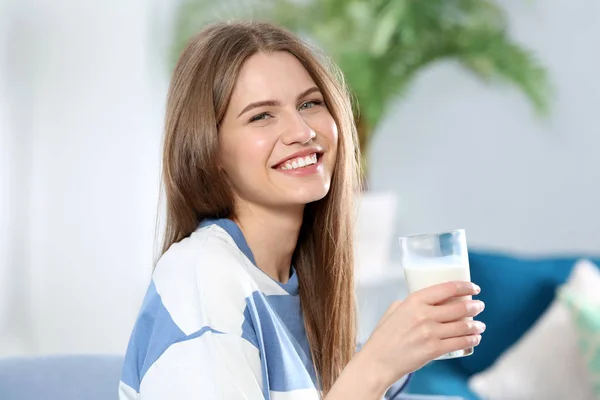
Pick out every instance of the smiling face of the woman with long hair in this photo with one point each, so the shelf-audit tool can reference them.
(278, 141)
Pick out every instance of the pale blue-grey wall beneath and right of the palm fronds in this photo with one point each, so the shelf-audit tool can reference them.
(460, 153)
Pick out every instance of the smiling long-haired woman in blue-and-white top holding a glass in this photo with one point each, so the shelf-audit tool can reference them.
(253, 297)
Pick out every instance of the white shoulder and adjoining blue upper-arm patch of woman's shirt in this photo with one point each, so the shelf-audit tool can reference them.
(199, 285)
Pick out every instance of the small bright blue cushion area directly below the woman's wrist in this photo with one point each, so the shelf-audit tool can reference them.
(440, 378)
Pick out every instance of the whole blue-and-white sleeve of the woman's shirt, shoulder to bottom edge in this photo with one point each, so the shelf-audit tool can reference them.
(188, 341)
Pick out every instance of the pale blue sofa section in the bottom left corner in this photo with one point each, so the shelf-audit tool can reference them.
(60, 378)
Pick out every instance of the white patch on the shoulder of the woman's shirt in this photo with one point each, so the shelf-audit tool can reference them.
(202, 283)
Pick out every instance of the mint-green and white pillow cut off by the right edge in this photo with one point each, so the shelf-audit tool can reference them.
(585, 314)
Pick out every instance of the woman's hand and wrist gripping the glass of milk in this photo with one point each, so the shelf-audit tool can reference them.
(428, 324)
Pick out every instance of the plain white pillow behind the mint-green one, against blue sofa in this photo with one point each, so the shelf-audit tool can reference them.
(545, 363)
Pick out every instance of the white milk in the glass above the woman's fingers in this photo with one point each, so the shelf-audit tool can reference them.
(424, 274)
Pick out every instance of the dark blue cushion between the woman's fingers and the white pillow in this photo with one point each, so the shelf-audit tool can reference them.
(516, 291)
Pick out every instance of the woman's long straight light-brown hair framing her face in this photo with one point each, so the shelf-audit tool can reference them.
(195, 188)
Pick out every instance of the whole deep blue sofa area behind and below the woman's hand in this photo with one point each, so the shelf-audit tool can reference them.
(516, 290)
